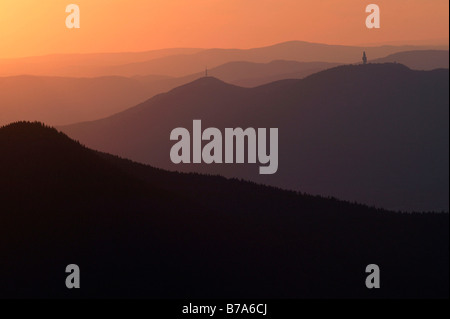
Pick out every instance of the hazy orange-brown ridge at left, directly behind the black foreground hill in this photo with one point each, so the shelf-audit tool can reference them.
(59, 100)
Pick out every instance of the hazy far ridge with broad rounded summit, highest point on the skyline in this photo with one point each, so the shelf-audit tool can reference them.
(181, 65)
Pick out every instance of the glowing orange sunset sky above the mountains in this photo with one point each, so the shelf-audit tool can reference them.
(35, 27)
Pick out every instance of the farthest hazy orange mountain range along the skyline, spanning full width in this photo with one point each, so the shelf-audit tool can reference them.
(182, 62)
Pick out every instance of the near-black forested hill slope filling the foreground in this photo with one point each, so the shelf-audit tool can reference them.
(137, 231)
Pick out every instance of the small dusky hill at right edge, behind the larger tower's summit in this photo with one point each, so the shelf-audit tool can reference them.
(419, 60)
